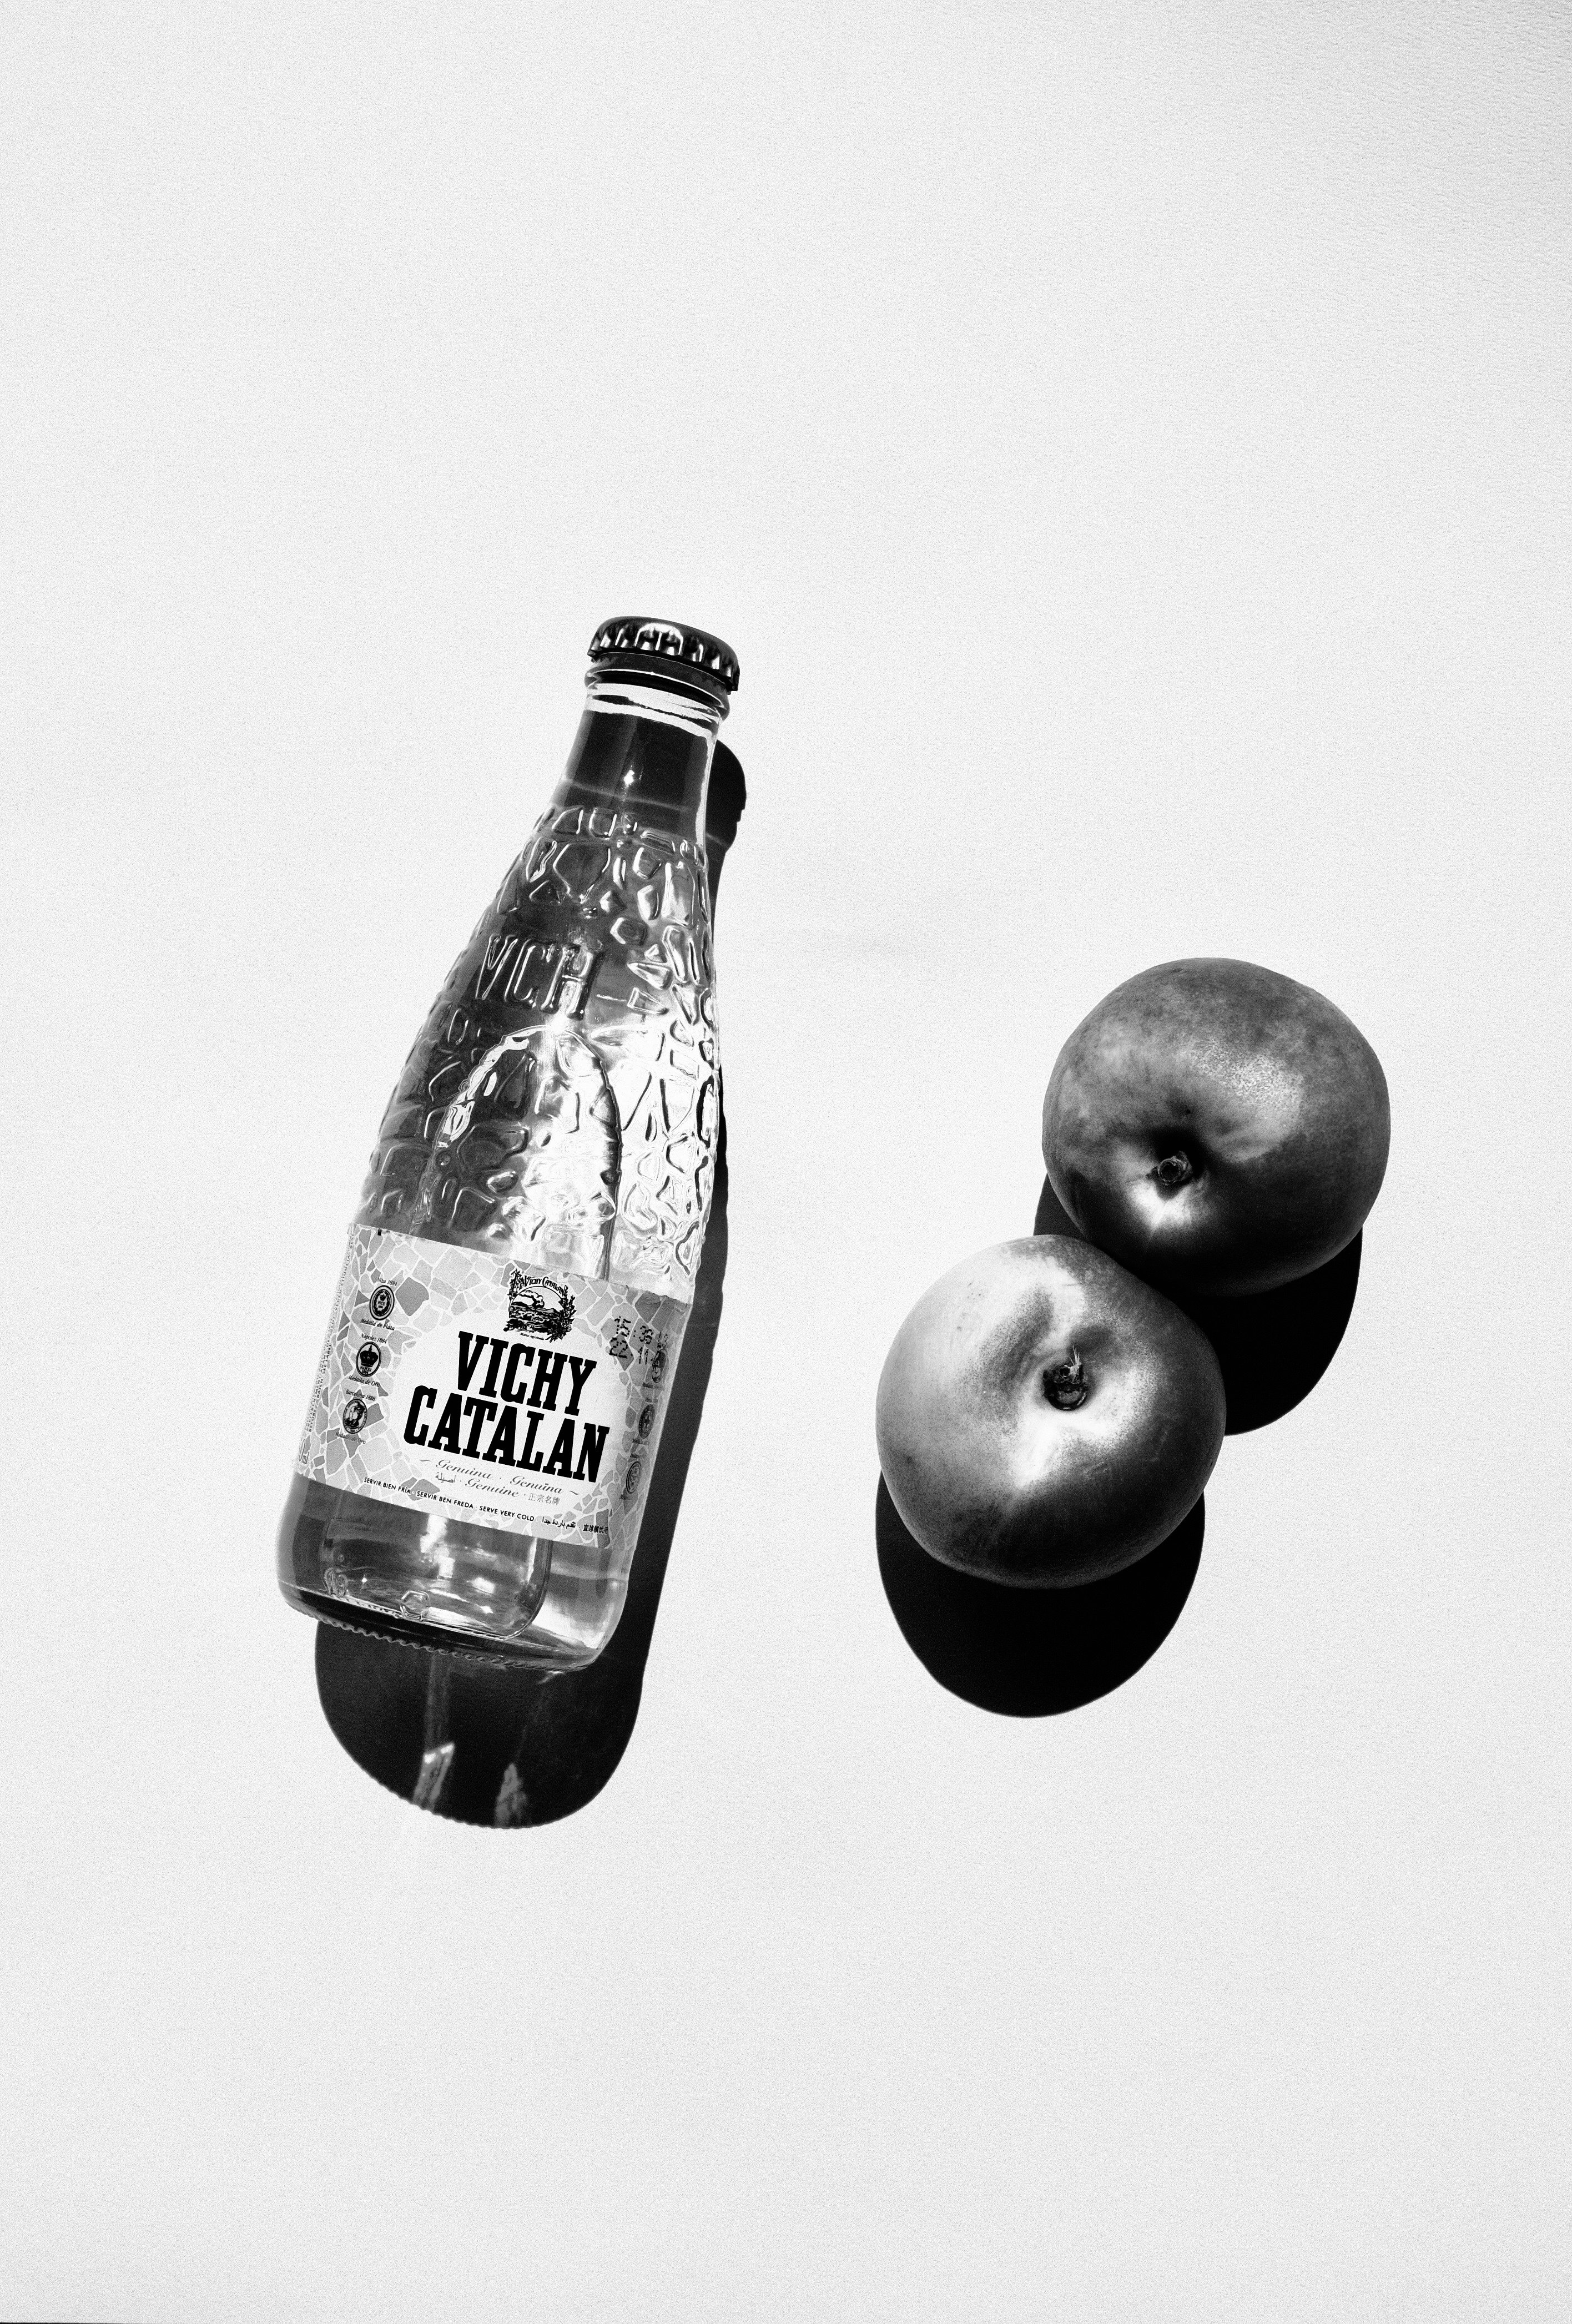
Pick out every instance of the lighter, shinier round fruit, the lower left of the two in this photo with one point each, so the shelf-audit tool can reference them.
(1045, 1419)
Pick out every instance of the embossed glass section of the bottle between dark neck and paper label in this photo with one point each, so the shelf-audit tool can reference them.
(592, 973)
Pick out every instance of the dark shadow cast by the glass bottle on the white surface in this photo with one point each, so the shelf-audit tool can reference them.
(510, 1749)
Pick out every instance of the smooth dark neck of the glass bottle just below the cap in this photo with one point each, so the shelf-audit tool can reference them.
(643, 752)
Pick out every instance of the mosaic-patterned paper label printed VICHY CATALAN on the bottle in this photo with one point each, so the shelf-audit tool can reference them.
(490, 1389)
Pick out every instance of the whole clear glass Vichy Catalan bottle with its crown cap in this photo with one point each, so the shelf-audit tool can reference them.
(522, 1265)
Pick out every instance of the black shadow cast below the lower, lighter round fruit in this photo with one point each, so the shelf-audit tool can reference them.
(1031, 1654)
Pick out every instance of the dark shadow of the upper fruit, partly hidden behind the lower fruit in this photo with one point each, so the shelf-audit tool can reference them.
(1273, 1347)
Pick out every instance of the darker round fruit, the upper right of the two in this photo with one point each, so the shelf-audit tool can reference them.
(1217, 1126)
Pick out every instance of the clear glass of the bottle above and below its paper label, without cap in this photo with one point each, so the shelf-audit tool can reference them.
(562, 1107)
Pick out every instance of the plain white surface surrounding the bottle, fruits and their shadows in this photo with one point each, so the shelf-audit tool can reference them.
(1129, 452)
